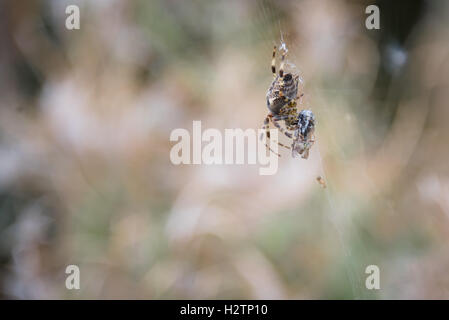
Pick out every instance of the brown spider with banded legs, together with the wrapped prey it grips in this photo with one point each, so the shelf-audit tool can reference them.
(281, 102)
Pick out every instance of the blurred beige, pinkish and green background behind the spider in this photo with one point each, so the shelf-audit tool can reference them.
(86, 178)
